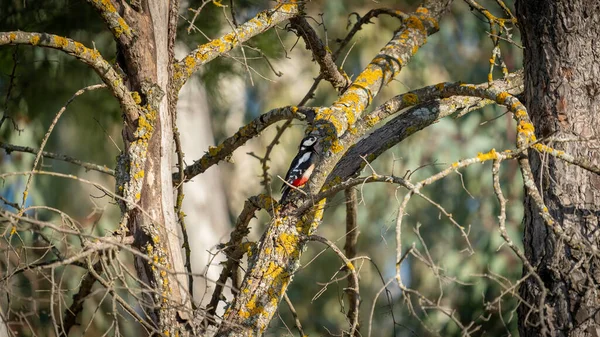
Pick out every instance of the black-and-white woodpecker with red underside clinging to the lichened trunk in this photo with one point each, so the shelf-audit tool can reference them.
(302, 166)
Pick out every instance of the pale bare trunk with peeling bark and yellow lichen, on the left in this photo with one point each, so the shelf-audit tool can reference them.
(146, 167)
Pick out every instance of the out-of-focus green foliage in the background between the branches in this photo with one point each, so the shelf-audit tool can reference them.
(45, 80)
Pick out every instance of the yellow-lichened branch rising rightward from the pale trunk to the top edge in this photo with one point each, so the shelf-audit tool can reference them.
(262, 22)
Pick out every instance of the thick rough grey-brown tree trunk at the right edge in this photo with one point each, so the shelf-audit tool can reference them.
(562, 84)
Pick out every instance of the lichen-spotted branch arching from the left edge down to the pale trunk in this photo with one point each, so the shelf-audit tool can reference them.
(91, 57)
